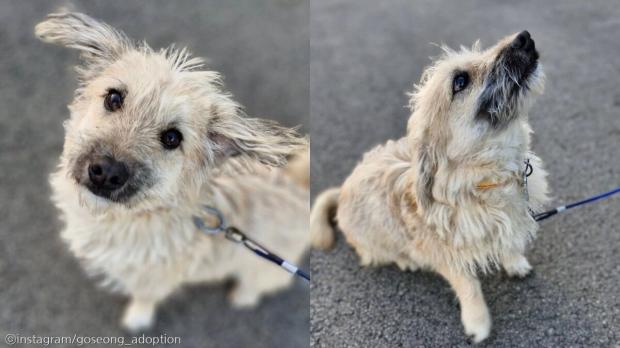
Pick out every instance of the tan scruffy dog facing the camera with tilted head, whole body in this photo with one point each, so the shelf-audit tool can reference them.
(150, 139)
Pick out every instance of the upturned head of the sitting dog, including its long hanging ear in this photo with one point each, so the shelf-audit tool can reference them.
(472, 104)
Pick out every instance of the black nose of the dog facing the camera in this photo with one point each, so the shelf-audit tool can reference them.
(107, 174)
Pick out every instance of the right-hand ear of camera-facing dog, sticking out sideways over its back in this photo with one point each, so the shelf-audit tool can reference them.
(254, 139)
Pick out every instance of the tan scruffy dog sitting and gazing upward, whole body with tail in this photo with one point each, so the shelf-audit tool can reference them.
(450, 195)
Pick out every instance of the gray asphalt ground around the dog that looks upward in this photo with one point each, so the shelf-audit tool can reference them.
(365, 55)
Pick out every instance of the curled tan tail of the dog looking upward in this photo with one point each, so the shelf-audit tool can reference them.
(321, 230)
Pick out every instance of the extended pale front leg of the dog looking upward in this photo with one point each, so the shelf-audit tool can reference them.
(474, 312)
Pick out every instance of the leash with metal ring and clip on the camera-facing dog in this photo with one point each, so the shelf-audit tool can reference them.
(233, 234)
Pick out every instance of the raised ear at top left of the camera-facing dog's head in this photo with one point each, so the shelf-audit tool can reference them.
(96, 41)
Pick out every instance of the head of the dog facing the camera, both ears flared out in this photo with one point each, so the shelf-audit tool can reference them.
(149, 126)
